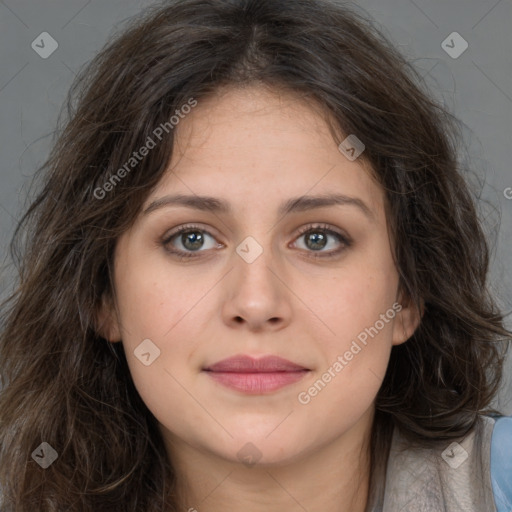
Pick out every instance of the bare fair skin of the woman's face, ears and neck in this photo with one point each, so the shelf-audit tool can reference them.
(256, 148)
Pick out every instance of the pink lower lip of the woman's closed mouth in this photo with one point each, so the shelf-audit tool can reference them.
(257, 383)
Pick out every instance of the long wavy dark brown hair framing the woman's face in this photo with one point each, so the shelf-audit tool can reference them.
(62, 383)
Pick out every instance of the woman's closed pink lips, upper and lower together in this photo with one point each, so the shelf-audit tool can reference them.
(256, 376)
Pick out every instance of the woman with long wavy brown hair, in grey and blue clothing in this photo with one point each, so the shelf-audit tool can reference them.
(254, 279)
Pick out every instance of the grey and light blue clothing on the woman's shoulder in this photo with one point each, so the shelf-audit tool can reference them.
(472, 474)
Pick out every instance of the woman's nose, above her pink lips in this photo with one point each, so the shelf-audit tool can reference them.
(257, 296)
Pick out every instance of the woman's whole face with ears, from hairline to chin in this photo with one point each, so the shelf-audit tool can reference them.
(265, 275)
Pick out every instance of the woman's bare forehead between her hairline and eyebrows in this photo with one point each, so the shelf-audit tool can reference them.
(258, 144)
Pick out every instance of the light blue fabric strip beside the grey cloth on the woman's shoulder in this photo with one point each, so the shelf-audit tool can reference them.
(501, 463)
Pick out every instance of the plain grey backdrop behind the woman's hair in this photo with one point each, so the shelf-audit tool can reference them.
(476, 86)
